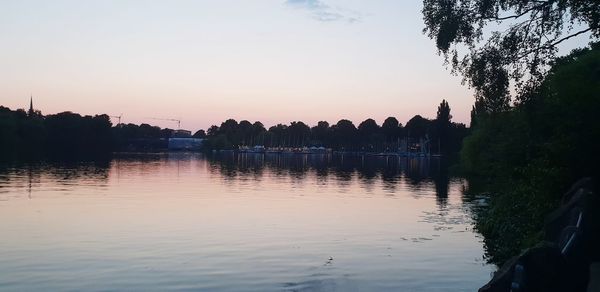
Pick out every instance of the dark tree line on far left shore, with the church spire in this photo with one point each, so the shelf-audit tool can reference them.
(31, 135)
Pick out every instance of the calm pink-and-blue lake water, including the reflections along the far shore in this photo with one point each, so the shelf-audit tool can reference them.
(237, 223)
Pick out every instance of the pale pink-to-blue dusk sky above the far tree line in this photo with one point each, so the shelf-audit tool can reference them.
(206, 61)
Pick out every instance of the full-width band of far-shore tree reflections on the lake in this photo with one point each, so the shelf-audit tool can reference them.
(392, 173)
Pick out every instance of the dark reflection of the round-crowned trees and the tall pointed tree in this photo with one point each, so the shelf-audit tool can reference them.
(392, 172)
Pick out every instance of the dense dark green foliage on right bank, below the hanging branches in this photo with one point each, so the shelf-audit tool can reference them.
(530, 154)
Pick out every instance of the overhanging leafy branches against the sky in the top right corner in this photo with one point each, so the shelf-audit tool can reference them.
(494, 42)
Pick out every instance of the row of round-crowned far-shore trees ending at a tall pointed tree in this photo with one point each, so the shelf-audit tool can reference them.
(444, 135)
